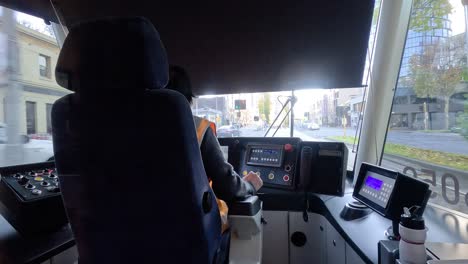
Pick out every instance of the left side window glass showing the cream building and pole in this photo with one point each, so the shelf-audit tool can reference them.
(28, 54)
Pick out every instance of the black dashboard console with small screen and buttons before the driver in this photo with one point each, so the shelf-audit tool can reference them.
(290, 163)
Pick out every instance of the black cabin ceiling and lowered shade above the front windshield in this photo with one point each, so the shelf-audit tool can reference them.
(244, 46)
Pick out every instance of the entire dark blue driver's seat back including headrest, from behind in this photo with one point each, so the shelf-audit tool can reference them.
(126, 152)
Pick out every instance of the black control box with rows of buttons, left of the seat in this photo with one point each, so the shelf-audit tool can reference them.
(31, 198)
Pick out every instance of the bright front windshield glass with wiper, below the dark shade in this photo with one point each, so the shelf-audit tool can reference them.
(318, 115)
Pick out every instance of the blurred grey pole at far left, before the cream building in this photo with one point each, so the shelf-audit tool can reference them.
(14, 149)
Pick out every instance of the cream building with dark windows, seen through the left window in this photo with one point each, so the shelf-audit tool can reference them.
(37, 57)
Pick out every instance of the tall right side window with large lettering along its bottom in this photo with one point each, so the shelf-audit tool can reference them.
(428, 131)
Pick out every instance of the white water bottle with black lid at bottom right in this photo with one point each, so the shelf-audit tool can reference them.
(413, 235)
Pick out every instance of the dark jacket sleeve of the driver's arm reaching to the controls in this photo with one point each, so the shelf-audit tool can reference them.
(227, 184)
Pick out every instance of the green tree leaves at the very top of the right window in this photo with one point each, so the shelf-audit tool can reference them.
(428, 14)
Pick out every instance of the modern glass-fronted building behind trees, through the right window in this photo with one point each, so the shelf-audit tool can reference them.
(408, 108)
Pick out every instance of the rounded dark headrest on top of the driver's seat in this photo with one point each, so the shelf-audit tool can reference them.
(112, 54)
